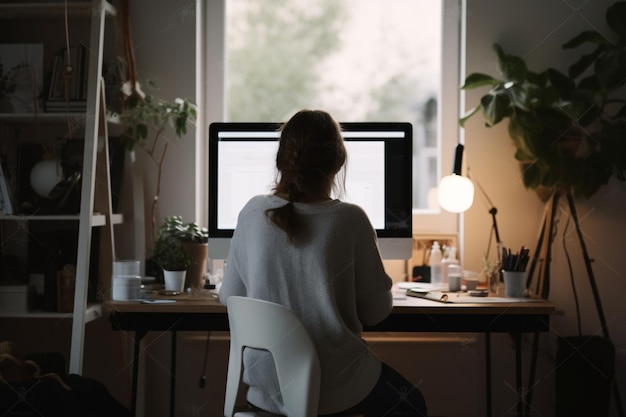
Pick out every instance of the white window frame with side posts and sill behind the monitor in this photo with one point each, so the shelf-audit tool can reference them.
(211, 47)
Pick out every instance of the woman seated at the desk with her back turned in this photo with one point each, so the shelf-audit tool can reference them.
(319, 257)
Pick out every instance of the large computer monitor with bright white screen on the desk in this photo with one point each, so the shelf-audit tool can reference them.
(242, 164)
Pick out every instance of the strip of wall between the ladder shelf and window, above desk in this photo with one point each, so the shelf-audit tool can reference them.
(164, 38)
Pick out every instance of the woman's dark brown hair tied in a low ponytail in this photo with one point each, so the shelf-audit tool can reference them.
(310, 154)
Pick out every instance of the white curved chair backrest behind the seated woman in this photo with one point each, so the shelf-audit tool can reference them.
(265, 325)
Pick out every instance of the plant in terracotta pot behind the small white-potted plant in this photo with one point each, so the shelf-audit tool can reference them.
(194, 240)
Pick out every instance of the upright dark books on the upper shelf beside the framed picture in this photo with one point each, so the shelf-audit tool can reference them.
(68, 81)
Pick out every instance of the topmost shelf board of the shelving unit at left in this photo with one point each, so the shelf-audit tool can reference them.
(47, 9)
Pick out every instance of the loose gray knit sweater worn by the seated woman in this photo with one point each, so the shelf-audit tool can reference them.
(332, 278)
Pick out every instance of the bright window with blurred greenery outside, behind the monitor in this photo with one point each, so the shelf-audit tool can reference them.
(361, 60)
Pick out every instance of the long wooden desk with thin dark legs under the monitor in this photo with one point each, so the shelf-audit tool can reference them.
(204, 312)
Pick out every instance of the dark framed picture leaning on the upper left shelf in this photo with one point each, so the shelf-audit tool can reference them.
(21, 77)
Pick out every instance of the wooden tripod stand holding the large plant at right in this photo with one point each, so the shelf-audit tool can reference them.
(541, 263)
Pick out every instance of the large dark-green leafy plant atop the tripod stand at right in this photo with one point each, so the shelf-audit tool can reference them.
(569, 130)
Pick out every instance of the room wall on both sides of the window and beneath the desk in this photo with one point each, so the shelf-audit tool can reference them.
(533, 29)
